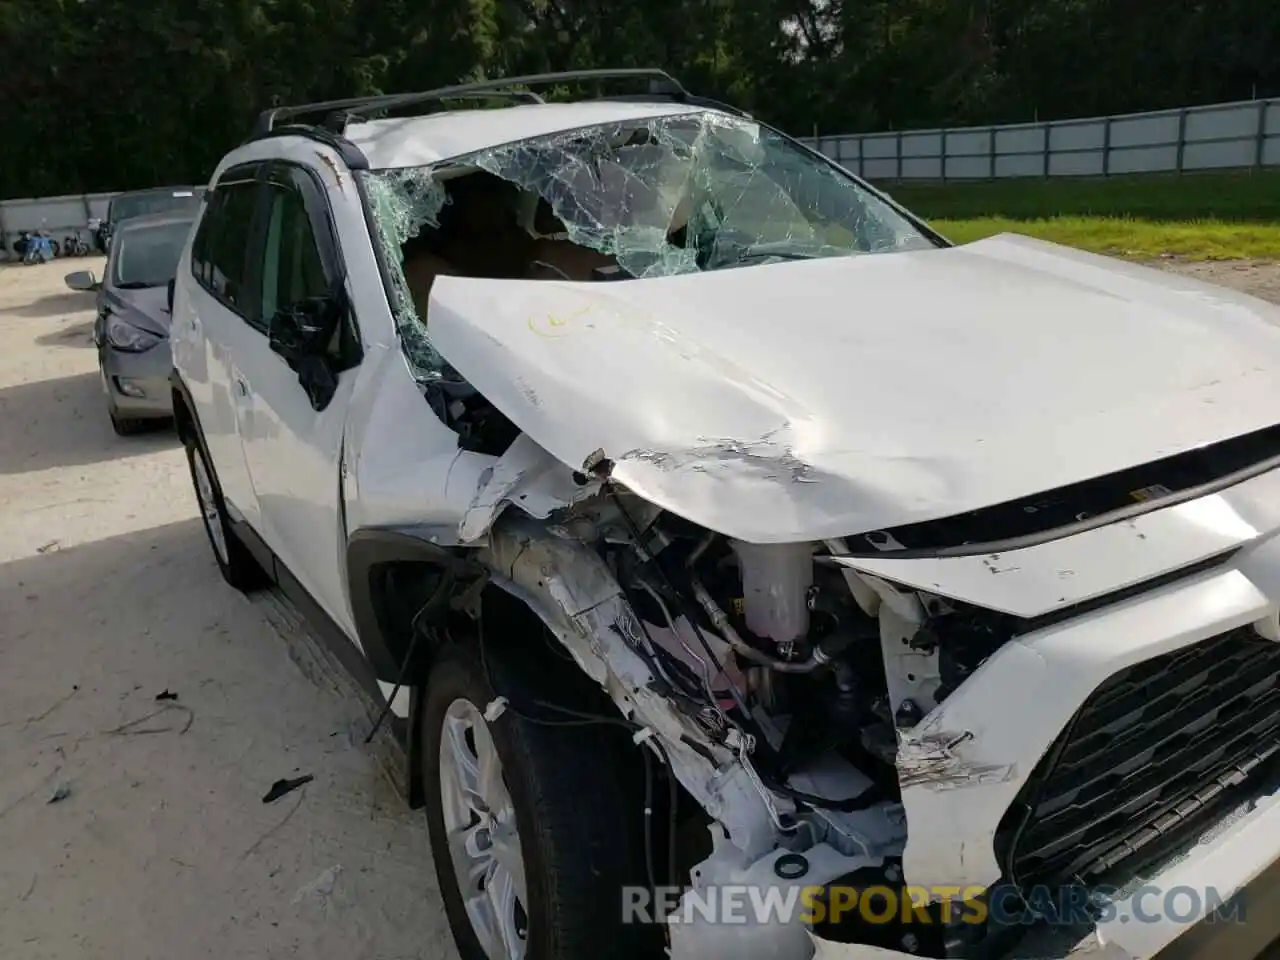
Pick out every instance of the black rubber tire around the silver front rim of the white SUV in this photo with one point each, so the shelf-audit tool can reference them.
(578, 812)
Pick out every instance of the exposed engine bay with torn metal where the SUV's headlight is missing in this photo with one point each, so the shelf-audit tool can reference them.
(779, 665)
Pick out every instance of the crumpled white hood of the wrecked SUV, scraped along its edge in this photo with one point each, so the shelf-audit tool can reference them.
(825, 399)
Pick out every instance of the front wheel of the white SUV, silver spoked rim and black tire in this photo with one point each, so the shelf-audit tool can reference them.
(536, 830)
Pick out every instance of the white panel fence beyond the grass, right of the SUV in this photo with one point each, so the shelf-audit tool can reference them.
(1219, 136)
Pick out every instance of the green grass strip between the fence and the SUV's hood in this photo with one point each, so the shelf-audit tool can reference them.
(1196, 217)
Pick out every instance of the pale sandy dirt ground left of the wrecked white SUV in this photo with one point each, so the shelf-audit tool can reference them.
(161, 844)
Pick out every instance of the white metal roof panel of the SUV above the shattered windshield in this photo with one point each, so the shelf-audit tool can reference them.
(418, 141)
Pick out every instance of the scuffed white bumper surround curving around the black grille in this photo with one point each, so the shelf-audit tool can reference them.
(1021, 700)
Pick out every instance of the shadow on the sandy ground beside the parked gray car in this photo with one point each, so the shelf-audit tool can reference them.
(63, 423)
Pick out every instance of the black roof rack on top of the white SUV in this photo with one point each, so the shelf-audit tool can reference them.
(339, 113)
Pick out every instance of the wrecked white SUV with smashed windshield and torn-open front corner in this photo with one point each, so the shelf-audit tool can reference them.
(744, 546)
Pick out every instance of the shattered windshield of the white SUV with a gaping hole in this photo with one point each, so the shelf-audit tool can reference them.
(639, 199)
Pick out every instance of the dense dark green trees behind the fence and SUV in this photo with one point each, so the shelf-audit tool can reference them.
(120, 94)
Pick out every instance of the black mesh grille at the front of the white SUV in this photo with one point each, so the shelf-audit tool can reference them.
(1153, 757)
